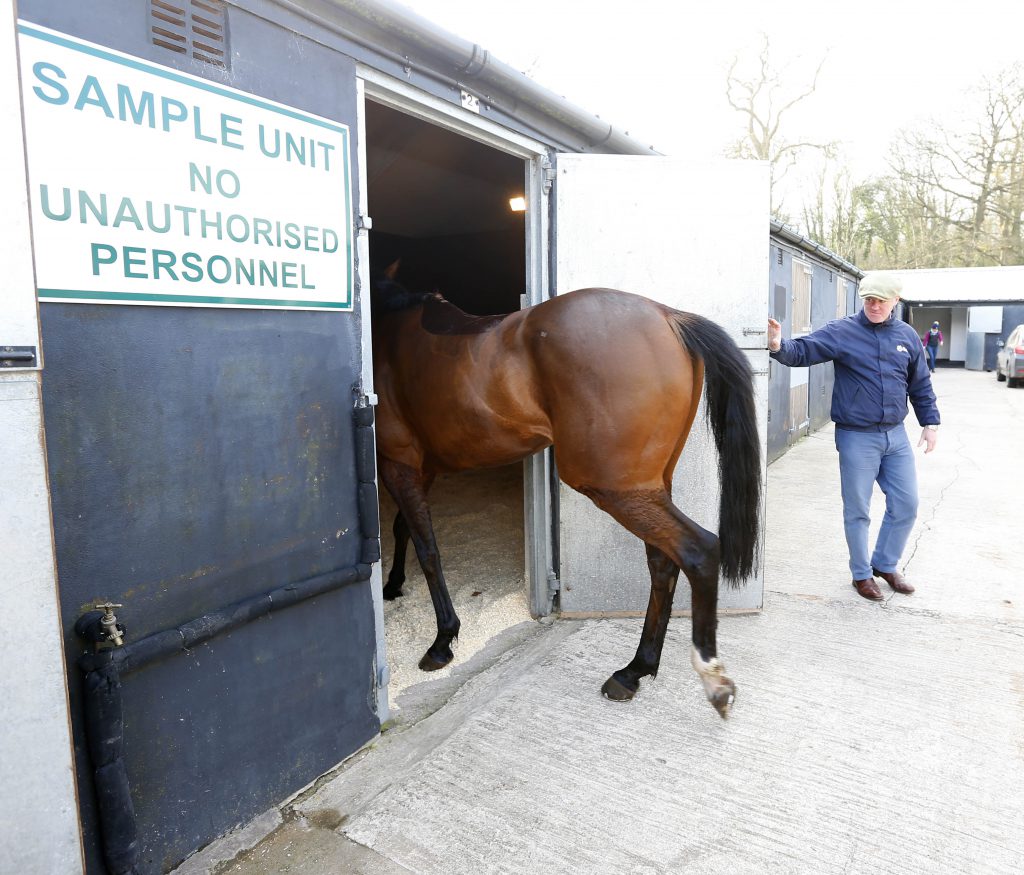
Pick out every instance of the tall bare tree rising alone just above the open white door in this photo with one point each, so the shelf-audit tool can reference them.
(764, 99)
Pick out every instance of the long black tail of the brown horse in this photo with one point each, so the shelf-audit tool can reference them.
(733, 418)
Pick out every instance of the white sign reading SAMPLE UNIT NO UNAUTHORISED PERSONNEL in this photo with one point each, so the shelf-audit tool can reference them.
(153, 187)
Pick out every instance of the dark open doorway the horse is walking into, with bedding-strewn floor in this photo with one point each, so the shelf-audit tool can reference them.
(440, 203)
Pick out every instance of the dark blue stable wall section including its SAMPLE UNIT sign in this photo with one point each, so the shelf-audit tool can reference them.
(210, 449)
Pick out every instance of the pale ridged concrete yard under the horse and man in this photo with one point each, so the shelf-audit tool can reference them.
(867, 738)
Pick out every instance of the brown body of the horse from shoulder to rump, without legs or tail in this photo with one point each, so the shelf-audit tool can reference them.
(592, 371)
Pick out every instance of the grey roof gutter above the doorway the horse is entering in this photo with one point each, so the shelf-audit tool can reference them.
(471, 64)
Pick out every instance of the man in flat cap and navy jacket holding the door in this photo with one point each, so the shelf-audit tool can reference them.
(880, 363)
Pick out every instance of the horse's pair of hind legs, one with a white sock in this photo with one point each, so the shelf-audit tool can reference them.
(684, 546)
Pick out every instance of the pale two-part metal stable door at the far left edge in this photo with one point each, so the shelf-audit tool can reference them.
(38, 807)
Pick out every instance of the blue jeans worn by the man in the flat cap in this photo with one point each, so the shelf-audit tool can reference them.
(867, 457)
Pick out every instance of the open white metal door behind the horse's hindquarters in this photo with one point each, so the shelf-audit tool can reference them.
(692, 236)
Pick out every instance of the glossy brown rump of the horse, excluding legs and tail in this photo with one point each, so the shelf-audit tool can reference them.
(621, 390)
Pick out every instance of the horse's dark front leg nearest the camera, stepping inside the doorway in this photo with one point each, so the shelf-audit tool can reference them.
(409, 489)
